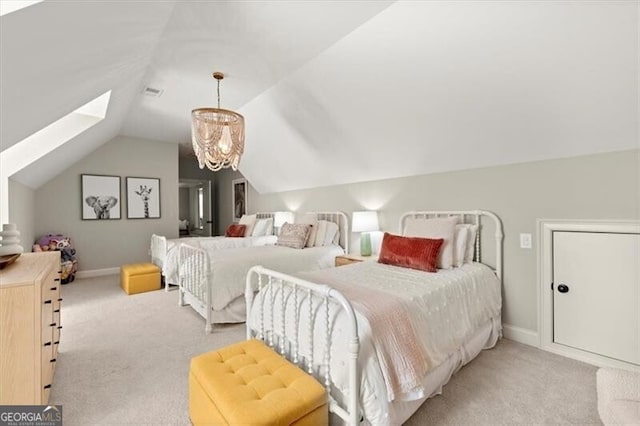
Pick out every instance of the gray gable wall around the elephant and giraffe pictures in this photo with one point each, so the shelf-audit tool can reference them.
(111, 243)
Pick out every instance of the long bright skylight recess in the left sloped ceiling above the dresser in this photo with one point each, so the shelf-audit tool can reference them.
(42, 142)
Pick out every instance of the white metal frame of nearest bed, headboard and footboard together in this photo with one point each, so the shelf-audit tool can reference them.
(277, 339)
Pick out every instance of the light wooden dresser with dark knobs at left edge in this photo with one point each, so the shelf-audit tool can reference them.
(29, 328)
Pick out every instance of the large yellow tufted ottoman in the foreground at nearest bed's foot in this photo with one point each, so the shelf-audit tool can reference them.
(248, 383)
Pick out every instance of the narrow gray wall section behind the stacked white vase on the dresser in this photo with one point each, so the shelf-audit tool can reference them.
(22, 208)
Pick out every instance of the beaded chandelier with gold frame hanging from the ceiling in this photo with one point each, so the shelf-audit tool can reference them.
(217, 135)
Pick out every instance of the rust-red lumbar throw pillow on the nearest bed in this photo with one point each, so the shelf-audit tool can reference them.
(410, 252)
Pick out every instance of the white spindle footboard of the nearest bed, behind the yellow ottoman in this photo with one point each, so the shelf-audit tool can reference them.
(308, 310)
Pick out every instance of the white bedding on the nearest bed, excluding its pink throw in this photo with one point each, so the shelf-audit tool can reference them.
(446, 308)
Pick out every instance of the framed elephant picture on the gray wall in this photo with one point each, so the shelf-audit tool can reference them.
(100, 197)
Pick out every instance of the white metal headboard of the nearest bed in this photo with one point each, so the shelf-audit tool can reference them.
(471, 217)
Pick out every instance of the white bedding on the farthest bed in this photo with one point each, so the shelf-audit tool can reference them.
(170, 266)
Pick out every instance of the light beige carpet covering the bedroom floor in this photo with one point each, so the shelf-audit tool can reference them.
(124, 360)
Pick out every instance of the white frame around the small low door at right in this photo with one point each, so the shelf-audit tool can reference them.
(546, 228)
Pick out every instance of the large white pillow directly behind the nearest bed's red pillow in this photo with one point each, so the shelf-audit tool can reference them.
(435, 228)
